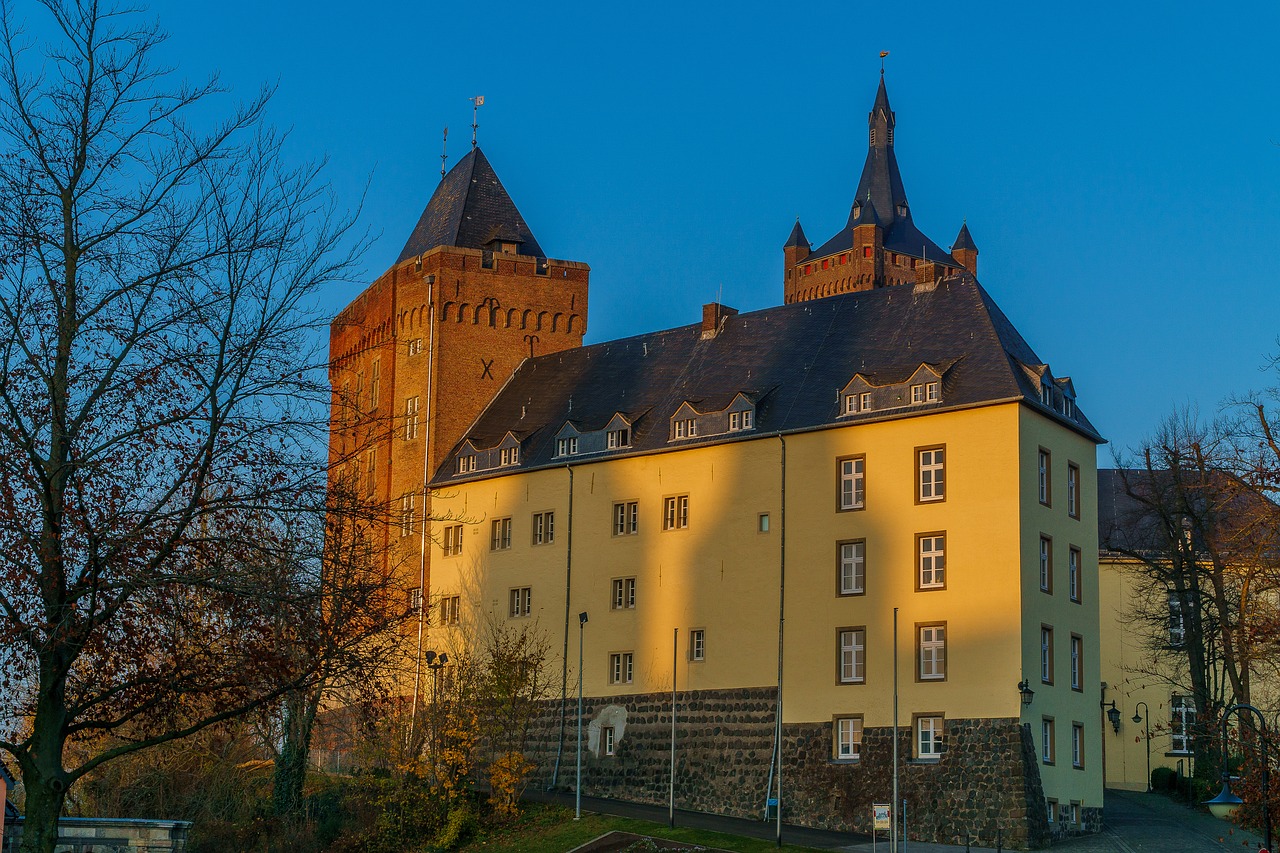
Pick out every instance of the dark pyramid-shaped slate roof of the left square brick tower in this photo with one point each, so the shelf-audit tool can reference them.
(468, 209)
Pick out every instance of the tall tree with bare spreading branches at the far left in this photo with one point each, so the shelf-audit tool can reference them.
(157, 400)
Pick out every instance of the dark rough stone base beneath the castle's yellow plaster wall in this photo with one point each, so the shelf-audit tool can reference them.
(985, 786)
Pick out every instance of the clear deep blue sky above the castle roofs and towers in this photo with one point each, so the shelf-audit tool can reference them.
(1118, 163)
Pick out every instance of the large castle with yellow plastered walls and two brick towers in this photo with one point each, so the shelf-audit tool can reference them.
(871, 504)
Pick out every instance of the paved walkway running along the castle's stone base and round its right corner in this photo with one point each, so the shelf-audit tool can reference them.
(1135, 823)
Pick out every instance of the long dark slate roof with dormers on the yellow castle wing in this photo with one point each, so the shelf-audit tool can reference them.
(796, 357)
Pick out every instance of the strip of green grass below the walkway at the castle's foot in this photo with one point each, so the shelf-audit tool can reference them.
(552, 829)
